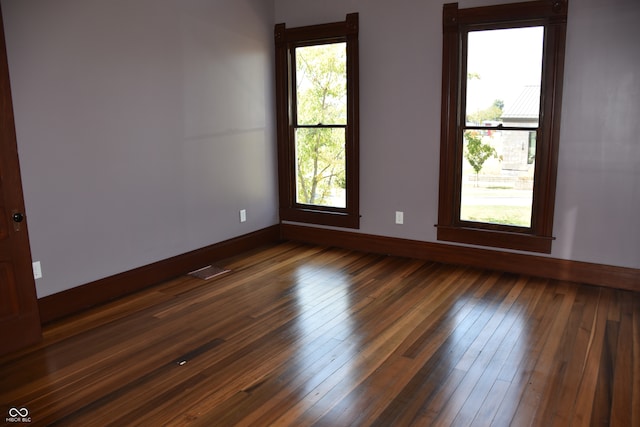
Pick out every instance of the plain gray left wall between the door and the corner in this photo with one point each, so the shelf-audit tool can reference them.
(143, 127)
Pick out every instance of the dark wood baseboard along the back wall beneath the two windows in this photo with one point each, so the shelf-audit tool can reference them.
(552, 268)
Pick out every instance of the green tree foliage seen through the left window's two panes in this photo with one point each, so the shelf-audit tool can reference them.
(321, 100)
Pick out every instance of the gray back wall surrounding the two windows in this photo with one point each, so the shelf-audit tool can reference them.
(598, 192)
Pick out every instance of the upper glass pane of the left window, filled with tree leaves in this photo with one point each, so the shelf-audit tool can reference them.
(321, 84)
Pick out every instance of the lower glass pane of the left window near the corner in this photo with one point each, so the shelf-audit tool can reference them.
(320, 167)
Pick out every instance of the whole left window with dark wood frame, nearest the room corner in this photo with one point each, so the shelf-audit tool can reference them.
(317, 122)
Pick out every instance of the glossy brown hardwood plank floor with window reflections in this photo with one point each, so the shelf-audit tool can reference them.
(304, 335)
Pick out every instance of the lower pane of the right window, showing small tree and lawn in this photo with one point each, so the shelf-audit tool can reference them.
(497, 177)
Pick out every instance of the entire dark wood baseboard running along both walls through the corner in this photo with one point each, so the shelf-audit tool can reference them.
(74, 300)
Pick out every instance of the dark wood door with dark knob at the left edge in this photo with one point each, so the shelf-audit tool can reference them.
(19, 317)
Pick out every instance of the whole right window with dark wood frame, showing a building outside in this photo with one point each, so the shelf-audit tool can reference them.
(501, 99)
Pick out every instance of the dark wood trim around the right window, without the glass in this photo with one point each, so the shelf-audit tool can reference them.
(456, 24)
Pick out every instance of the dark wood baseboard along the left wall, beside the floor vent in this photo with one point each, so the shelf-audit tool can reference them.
(80, 298)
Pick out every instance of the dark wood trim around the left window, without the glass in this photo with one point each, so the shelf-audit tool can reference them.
(287, 39)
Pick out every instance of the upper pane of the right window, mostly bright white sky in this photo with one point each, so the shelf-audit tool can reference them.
(504, 71)
